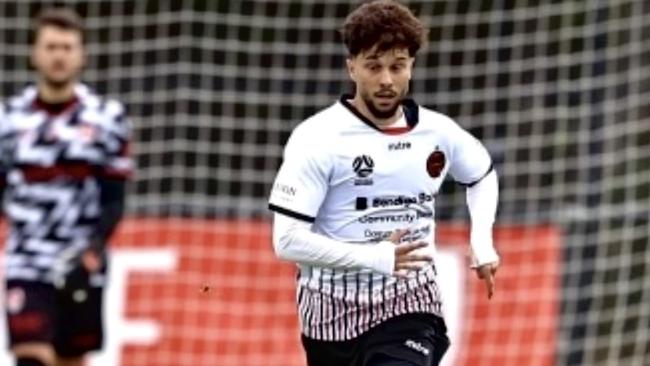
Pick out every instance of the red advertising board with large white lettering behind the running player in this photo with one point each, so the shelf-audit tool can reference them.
(211, 292)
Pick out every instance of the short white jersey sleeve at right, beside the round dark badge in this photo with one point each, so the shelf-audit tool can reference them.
(470, 160)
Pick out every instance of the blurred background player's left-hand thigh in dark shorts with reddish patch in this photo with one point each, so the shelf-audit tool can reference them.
(30, 310)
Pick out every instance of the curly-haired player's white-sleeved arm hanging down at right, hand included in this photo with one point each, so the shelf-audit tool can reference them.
(471, 165)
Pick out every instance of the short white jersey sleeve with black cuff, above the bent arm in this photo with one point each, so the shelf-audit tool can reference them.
(302, 181)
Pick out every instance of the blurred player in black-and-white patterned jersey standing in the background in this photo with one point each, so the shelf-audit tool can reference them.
(64, 155)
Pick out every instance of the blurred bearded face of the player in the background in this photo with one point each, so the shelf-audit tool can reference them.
(58, 55)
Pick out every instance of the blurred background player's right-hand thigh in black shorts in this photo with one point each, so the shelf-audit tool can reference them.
(79, 321)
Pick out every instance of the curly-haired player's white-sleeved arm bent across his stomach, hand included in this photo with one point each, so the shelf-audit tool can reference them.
(297, 194)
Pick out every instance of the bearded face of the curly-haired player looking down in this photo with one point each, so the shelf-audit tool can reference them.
(382, 79)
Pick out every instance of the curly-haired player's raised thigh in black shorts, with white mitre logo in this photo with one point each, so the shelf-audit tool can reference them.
(407, 340)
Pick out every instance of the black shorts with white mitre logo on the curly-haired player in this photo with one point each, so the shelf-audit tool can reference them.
(406, 340)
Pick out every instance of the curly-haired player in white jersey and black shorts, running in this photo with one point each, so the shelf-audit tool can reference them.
(354, 201)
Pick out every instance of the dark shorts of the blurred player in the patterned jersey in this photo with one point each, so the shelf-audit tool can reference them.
(70, 321)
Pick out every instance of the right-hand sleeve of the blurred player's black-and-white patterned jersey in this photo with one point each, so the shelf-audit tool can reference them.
(118, 163)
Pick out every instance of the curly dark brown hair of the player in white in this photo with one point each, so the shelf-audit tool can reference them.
(386, 24)
